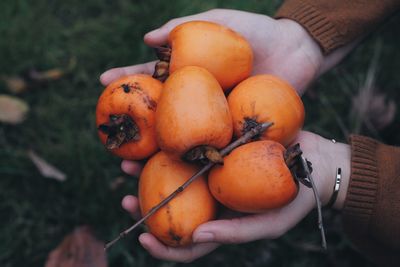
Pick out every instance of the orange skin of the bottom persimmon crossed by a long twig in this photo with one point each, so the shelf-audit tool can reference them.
(174, 223)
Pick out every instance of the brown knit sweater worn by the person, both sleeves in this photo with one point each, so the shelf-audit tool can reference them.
(371, 212)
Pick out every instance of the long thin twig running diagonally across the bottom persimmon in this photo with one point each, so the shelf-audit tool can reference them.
(258, 129)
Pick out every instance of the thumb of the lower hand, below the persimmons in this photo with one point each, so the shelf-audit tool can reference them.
(270, 225)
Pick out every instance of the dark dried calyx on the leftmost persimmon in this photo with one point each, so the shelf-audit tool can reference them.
(119, 130)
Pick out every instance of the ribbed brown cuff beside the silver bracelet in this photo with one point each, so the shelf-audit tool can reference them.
(363, 184)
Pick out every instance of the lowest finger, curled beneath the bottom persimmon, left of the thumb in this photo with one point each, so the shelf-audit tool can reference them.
(182, 254)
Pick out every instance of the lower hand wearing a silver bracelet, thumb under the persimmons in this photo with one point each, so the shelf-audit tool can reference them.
(325, 156)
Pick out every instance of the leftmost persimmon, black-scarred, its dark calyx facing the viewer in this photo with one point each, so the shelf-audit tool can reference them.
(125, 115)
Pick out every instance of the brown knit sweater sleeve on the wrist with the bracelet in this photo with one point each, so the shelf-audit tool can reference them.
(371, 212)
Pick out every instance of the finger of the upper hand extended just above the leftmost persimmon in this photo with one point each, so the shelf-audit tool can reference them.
(111, 75)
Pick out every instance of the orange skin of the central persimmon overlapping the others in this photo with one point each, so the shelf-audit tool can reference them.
(192, 111)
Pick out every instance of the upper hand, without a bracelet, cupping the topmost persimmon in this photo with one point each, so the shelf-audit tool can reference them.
(281, 47)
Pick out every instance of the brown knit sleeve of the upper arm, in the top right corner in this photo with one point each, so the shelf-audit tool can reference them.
(334, 23)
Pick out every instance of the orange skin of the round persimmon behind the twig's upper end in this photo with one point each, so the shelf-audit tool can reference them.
(267, 98)
